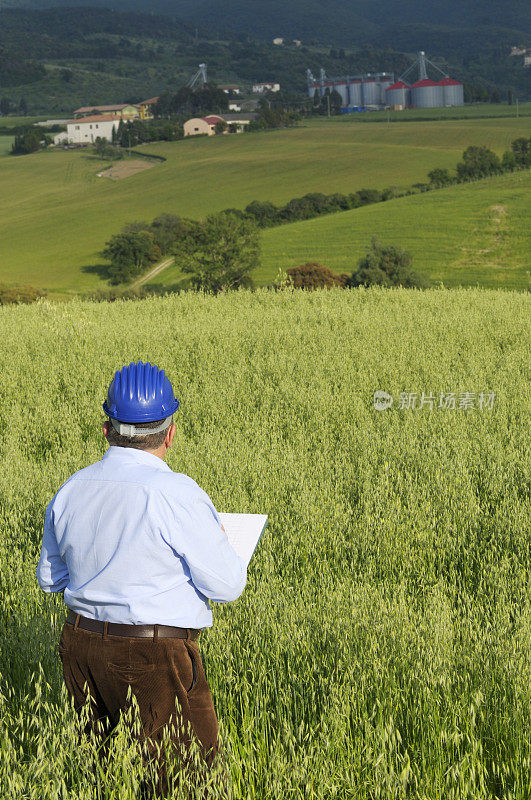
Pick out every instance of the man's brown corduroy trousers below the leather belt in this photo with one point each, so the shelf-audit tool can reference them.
(159, 671)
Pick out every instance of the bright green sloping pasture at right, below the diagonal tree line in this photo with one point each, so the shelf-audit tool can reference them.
(476, 233)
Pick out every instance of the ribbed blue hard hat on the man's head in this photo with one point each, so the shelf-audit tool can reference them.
(140, 393)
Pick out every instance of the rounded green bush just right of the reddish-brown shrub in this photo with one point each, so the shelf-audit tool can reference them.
(386, 265)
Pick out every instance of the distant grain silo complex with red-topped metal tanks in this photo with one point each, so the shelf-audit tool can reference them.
(377, 90)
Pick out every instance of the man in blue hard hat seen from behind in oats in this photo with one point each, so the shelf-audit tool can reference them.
(138, 551)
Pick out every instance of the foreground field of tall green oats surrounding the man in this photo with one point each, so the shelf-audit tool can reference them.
(381, 647)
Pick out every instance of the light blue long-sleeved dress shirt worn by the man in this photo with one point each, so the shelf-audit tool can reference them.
(131, 541)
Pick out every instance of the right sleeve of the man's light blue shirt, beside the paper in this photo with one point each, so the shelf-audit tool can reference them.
(215, 568)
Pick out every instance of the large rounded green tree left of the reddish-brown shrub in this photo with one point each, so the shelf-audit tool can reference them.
(226, 250)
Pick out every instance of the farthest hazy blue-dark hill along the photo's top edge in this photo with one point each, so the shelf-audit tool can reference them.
(445, 26)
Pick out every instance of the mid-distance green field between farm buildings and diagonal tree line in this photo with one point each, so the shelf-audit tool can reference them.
(55, 204)
